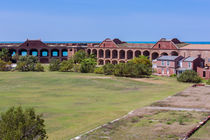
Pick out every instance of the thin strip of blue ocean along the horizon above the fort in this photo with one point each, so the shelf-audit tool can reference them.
(152, 42)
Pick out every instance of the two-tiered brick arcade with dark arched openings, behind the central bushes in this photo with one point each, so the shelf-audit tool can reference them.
(116, 56)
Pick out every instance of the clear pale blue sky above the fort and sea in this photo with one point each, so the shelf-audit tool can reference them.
(95, 20)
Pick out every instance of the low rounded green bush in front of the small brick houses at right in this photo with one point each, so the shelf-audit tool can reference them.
(189, 76)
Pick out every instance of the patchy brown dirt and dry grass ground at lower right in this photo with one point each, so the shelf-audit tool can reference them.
(169, 119)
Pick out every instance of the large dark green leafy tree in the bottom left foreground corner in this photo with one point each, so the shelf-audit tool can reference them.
(19, 124)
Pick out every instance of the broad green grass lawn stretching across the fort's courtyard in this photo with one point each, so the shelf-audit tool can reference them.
(73, 103)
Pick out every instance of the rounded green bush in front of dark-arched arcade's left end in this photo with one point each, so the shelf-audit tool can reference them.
(88, 65)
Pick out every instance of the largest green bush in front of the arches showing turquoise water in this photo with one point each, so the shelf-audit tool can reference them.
(27, 63)
